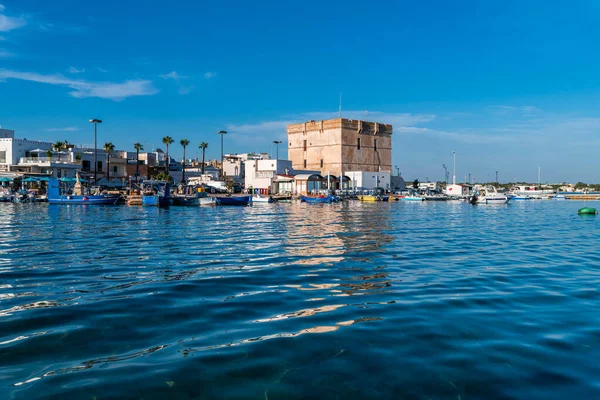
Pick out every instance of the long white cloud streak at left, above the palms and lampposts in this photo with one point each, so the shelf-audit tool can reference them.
(83, 88)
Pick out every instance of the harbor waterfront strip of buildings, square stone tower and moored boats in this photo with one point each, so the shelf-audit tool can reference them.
(341, 158)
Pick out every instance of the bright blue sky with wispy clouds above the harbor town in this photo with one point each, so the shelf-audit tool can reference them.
(508, 85)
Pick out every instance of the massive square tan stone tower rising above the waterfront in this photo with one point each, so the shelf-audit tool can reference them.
(339, 145)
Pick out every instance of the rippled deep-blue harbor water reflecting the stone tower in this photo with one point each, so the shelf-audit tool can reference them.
(293, 301)
